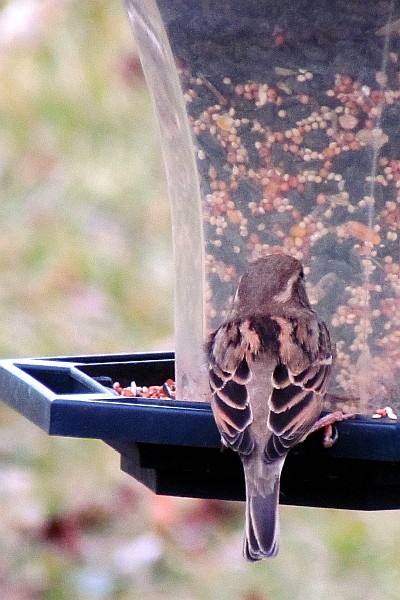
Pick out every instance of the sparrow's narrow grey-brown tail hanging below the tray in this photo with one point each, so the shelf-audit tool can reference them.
(262, 521)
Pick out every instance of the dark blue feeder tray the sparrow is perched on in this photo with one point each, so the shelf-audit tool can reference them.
(174, 448)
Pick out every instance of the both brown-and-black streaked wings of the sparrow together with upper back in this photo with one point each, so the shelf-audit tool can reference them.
(298, 381)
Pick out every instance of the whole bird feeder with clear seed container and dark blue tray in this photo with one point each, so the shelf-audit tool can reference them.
(280, 127)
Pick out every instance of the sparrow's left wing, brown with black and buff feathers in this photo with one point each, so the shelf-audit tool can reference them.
(230, 350)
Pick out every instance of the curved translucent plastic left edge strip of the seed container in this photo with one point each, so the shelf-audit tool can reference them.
(184, 191)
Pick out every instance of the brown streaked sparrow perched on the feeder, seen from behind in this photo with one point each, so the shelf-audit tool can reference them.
(269, 365)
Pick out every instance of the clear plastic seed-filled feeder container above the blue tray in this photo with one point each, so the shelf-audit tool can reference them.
(291, 112)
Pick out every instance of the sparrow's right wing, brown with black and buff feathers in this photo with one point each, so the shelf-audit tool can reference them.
(298, 386)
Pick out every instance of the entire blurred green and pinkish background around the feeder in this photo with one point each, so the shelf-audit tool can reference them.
(86, 267)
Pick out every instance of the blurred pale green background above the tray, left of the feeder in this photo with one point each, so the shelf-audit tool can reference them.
(85, 218)
